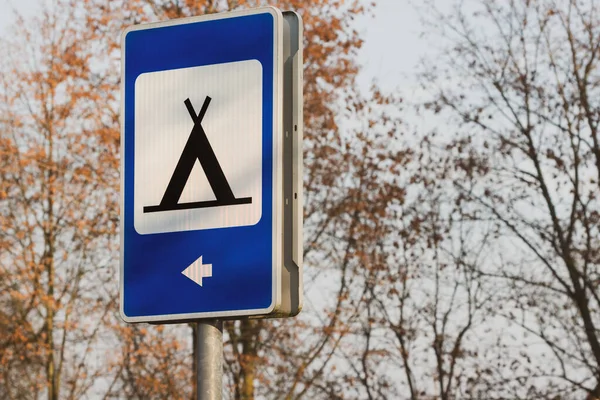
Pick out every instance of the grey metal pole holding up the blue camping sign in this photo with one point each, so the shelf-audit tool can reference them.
(209, 345)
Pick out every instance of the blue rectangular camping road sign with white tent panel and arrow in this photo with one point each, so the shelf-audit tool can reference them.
(211, 211)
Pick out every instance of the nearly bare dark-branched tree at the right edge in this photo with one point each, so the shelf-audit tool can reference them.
(519, 82)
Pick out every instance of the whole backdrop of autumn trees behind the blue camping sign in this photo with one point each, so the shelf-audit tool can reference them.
(451, 240)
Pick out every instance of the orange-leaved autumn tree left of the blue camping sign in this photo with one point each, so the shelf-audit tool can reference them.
(58, 205)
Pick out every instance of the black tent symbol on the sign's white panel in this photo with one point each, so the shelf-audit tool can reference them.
(197, 147)
